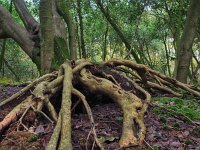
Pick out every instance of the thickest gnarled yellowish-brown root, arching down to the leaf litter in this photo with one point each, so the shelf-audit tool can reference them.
(128, 102)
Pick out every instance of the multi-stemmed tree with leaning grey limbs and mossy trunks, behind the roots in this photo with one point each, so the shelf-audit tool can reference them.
(33, 42)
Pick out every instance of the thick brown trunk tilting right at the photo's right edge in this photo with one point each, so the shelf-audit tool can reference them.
(185, 48)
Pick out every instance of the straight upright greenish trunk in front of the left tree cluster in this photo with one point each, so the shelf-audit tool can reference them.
(47, 35)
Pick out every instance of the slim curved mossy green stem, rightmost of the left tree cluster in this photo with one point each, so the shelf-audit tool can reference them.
(63, 10)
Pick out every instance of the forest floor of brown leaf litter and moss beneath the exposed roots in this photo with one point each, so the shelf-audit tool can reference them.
(165, 131)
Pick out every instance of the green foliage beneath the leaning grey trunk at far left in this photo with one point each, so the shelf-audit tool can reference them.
(19, 62)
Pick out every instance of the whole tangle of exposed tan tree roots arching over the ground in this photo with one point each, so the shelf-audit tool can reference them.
(130, 86)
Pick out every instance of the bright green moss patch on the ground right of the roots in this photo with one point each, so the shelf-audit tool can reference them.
(190, 108)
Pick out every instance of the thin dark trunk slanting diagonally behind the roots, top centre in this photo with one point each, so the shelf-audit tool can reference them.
(118, 30)
